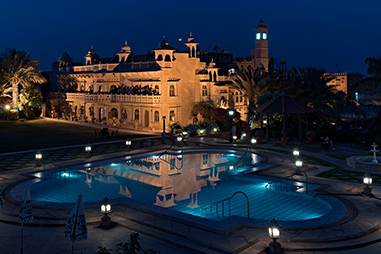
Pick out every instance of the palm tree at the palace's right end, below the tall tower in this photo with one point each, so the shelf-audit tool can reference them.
(253, 84)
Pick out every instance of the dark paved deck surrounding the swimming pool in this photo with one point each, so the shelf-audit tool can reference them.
(358, 232)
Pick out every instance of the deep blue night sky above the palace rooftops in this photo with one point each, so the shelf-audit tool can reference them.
(320, 33)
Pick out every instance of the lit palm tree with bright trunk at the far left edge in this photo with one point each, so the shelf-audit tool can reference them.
(19, 69)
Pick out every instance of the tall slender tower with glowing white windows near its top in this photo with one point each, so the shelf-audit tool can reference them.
(261, 51)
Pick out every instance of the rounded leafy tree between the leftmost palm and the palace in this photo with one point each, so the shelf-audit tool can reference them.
(30, 101)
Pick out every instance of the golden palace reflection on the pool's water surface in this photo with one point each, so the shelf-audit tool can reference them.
(169, 179)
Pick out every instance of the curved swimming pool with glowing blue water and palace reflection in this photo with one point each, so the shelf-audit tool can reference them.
(183, 182)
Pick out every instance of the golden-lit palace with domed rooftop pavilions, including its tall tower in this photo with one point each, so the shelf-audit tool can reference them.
(142, 89)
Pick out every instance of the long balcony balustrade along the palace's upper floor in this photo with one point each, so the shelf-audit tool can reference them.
(113, 98)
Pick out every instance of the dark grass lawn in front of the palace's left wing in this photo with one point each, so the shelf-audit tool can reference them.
(40, 134)
